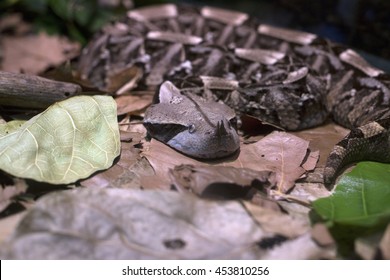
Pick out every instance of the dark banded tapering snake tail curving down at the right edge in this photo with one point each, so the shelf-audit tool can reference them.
(369, 142)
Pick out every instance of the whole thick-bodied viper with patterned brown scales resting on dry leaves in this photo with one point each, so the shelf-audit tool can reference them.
(208, 64)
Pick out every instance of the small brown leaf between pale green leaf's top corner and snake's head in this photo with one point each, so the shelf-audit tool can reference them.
(132, 103)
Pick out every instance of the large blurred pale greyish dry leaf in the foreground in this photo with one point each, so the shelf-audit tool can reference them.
(133, 224)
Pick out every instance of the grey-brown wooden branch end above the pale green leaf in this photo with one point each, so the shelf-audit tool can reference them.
(30, 91)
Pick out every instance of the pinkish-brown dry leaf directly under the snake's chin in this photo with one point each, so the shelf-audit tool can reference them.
(279, 152)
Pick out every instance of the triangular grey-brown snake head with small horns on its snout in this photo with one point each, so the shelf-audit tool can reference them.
(192, 126)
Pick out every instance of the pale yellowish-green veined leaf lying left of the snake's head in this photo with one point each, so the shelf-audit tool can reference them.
(69, 141)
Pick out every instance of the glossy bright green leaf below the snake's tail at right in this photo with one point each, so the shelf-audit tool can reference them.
(362, 197)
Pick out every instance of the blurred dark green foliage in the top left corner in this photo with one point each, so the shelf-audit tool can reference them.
(76, 19)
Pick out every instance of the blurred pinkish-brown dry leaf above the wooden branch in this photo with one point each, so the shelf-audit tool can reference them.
(35, 53)
